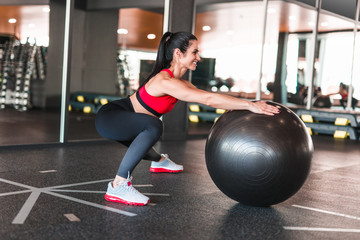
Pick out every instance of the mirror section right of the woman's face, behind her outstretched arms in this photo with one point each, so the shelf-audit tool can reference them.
(230, 47)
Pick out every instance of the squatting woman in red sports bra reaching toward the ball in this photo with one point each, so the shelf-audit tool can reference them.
(134, 121)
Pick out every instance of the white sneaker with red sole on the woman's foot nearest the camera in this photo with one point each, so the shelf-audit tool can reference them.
(126, 193)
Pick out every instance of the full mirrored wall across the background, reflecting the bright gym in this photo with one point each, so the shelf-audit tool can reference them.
(118, 56)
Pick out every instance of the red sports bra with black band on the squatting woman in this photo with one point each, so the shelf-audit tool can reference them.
(156, 105)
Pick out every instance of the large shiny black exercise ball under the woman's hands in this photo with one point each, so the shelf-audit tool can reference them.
(256, 159)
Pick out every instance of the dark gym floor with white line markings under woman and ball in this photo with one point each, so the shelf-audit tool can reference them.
(57, 192)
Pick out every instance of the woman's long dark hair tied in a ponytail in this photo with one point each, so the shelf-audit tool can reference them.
(168, 43)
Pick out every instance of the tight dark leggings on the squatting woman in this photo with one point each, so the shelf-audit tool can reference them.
(138, 131)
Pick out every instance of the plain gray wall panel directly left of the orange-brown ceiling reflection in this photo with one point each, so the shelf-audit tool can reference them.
(100, 51)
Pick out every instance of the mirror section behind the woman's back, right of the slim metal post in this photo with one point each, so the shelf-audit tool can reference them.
(115, 70)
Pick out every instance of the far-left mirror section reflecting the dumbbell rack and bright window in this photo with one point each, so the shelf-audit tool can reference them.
(24, 41)
